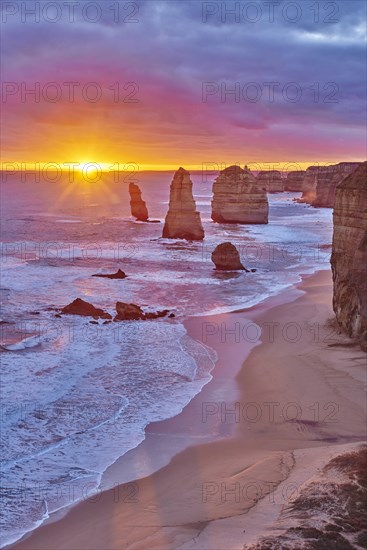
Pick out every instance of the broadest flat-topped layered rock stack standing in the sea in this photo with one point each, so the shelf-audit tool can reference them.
(237, 198)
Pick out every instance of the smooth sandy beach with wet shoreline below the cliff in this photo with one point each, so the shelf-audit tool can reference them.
(219, 475)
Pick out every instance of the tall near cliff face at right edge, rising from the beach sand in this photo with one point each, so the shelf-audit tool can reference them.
(349, 255)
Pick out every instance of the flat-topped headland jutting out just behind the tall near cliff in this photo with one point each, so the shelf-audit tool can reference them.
(320, 182)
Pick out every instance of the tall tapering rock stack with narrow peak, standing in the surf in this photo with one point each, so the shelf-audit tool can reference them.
(182, 220)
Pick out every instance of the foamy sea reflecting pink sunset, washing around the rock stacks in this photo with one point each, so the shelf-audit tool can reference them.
(75, 396)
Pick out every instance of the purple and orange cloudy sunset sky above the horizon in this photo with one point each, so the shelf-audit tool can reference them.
(168, 83)
